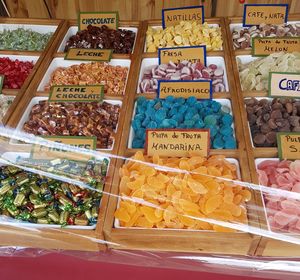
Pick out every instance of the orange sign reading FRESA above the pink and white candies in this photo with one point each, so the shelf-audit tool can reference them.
(176, 55)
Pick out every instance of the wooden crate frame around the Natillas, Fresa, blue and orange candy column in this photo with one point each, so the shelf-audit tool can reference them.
(181, 240)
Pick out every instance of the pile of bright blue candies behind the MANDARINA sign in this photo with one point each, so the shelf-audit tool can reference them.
(184, 113)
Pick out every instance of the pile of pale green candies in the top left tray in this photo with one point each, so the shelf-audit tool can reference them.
(23, 40)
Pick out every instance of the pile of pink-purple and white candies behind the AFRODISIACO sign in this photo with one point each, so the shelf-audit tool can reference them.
(182, 71)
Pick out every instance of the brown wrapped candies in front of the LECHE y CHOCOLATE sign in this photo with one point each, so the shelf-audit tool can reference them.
(75, 119)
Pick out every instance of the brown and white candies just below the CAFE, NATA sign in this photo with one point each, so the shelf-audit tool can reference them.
(242, 37)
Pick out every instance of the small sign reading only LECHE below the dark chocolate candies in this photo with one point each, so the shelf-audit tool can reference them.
(89, 54)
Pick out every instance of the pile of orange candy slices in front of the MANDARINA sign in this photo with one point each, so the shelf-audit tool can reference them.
(151, 197)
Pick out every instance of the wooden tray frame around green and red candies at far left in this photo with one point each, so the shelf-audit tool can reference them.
(20, 92)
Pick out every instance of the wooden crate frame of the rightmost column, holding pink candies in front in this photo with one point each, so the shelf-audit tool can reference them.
(267, 246)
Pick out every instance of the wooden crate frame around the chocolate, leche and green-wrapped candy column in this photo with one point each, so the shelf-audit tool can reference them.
(84, 240)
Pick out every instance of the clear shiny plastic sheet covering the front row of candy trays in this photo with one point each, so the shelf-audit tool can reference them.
(99, 206)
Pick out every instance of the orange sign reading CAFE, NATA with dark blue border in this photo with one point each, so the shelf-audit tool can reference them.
(255, 14)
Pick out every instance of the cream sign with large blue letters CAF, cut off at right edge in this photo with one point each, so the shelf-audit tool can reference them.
(284, 84)
